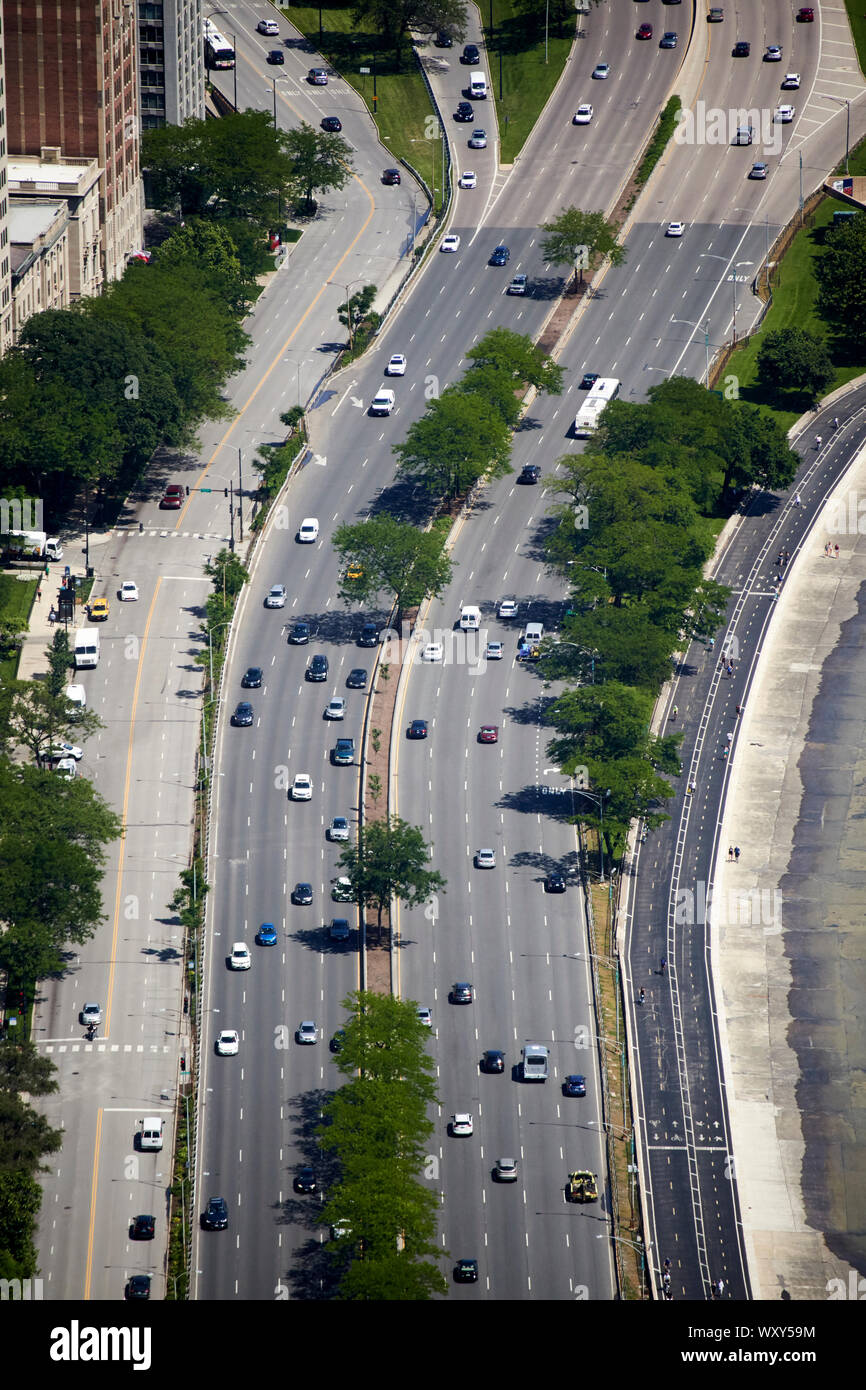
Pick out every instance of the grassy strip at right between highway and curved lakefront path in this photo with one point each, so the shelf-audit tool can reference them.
(794, 306)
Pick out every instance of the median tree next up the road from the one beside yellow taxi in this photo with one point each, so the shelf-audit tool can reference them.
(459, 441)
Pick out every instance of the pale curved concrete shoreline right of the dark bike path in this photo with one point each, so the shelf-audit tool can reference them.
(790, 928)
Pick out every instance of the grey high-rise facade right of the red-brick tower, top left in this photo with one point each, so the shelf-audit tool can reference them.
(172, 62)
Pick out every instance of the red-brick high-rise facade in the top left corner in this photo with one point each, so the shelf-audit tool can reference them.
(72, 83)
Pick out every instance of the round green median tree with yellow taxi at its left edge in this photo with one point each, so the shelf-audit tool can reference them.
(397, 559)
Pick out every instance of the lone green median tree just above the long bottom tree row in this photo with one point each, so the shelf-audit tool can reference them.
(391, 861)
